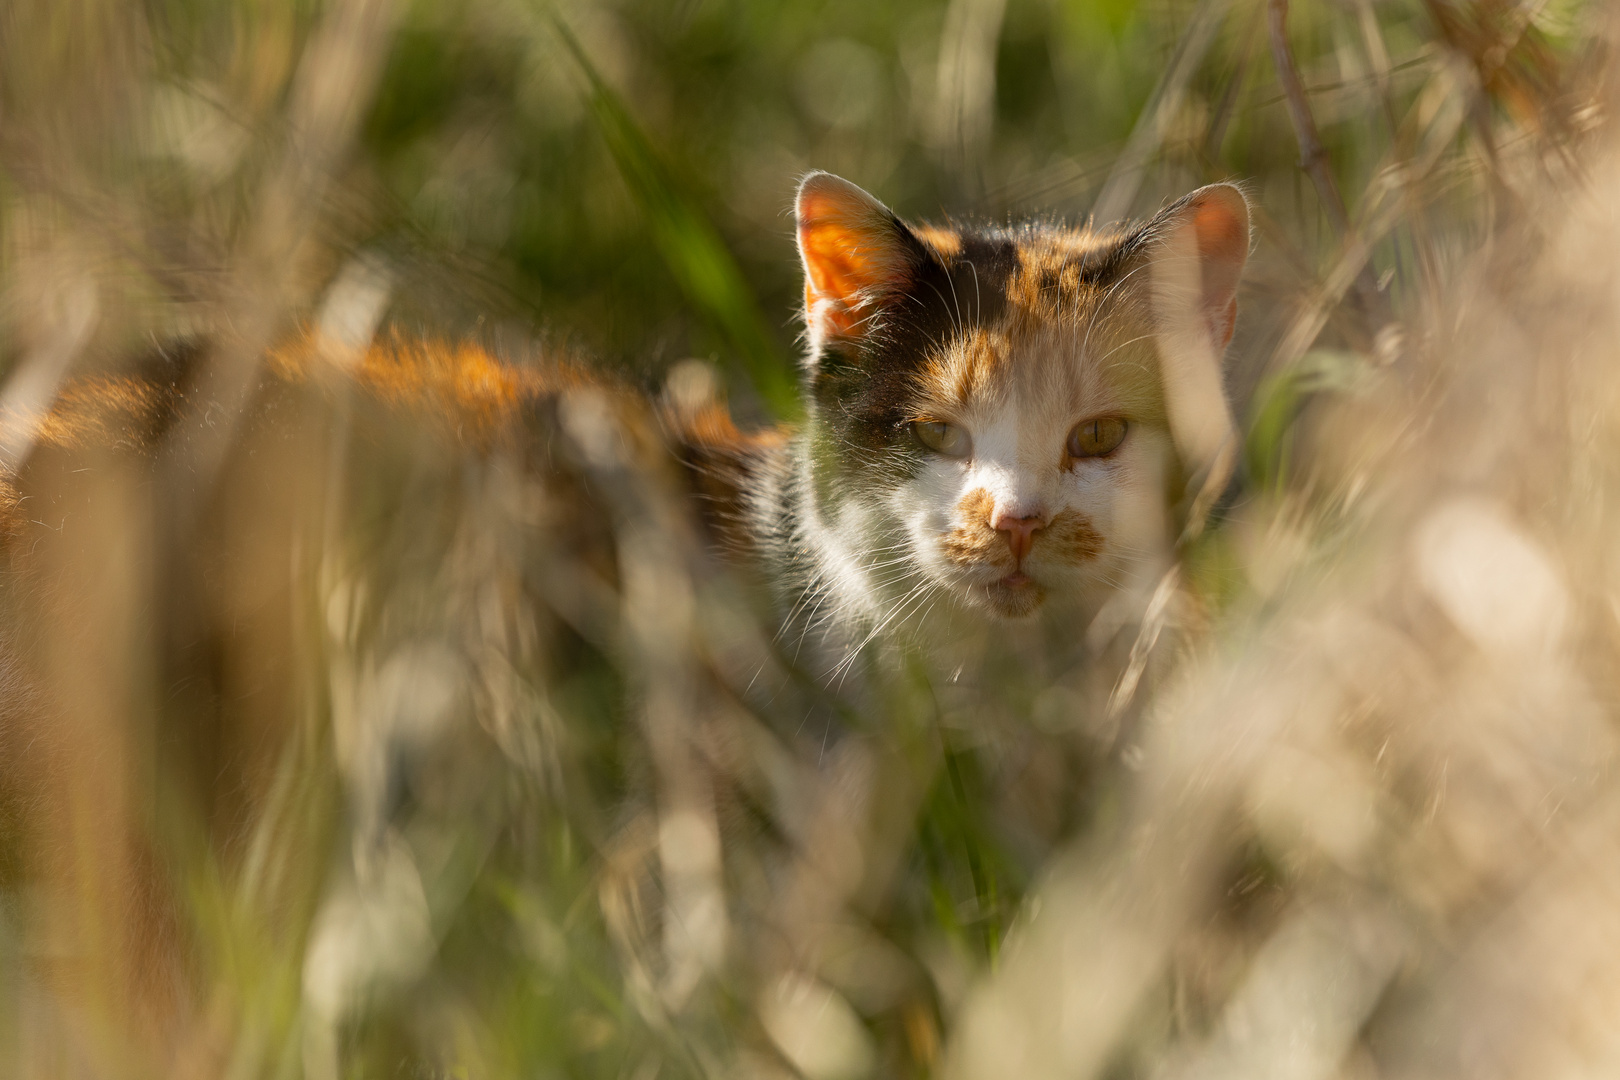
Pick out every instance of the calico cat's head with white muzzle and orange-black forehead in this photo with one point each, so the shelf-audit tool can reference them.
(1005, 415)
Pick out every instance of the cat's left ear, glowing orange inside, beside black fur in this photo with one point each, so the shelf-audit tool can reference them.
(856, 257)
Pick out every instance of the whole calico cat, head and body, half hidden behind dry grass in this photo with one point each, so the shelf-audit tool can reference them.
(999, 425)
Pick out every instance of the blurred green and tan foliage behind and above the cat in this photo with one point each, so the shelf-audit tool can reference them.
(631, 193)
